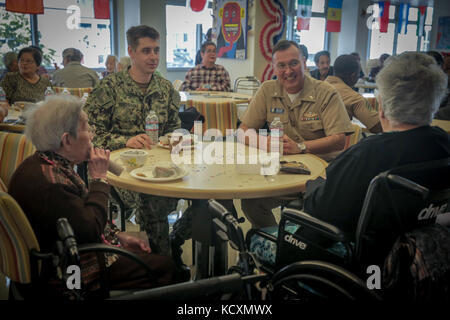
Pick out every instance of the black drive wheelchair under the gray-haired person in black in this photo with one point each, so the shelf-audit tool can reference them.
(399, 201)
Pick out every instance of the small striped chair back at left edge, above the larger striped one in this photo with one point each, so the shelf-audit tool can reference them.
(14, 148)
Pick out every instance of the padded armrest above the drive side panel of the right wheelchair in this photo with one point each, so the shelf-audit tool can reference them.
(317, 225)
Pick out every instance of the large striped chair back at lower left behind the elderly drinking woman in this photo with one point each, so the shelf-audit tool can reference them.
(17, 239)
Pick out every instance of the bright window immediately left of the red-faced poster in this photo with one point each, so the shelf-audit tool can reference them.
(181, 38)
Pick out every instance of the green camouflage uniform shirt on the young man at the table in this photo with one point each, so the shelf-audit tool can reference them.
(118, 108)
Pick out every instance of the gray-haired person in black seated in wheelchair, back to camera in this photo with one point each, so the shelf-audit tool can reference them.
(387, 185)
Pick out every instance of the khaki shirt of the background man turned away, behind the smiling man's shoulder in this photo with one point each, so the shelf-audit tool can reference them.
(355, 104)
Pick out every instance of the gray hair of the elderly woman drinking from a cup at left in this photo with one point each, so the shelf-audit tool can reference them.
(46, 125)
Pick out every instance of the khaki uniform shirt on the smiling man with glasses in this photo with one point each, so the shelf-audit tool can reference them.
(316, 113)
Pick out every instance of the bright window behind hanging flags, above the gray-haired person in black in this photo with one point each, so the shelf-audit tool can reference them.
(396, 43)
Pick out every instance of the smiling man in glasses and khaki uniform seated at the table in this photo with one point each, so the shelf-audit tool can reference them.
(314, 117)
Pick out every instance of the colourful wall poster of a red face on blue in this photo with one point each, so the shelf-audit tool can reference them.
(231, 29)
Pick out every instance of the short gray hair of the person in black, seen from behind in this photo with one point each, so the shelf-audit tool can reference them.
(411, 87)
